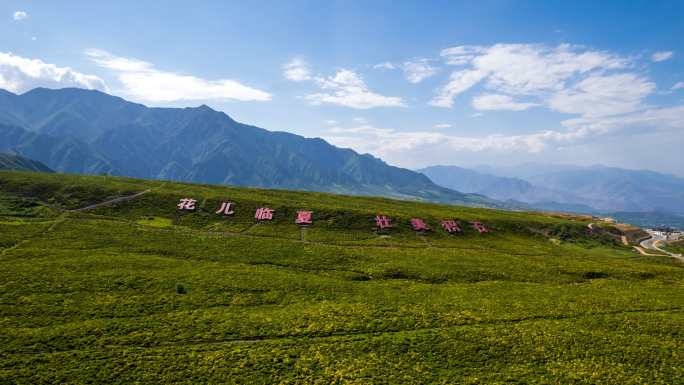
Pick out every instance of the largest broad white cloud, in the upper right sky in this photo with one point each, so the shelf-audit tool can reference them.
(565, 78)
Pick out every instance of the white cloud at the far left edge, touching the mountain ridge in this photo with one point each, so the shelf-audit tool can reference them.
(19, 74)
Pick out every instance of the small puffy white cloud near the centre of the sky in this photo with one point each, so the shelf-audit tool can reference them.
(348, 89)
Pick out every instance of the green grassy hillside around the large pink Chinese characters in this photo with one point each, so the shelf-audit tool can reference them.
(139, 292)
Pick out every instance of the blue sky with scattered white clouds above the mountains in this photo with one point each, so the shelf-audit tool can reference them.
(415, 83)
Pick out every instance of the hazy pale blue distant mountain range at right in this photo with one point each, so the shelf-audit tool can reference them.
(587, 189)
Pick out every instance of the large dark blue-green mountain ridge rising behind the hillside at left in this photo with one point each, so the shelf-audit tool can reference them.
(83, 131)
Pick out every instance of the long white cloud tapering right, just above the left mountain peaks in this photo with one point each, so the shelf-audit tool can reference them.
(144, 82)
